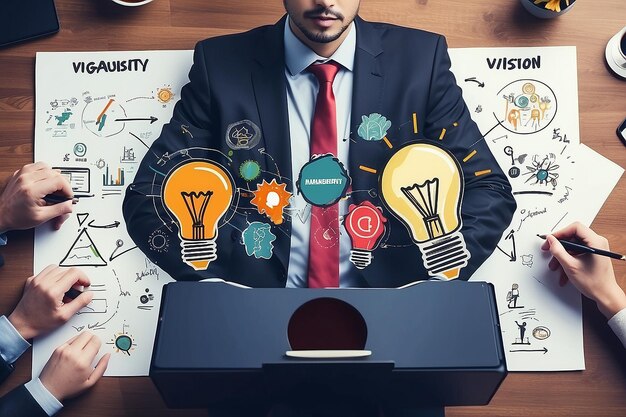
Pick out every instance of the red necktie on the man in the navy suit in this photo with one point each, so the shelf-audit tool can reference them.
(324, 238)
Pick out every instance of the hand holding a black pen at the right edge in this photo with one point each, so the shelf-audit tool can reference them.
(592, 275)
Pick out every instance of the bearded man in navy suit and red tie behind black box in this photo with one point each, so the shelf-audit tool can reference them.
(251, 108)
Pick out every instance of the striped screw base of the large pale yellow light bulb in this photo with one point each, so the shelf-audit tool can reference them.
(445, 255)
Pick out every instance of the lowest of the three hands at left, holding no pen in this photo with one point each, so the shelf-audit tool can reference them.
(69, 371)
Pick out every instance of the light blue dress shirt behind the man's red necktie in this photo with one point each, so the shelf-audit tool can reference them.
(302, 88)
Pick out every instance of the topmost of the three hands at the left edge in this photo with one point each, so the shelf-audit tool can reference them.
(22, 205)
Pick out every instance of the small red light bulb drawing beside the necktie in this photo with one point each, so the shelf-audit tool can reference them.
(365, 225)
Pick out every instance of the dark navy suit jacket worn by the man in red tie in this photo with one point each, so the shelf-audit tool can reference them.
(398, 72)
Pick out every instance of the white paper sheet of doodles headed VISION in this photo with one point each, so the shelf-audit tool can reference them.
(530, 121)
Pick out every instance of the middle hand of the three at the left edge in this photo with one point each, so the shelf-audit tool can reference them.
(43, 306)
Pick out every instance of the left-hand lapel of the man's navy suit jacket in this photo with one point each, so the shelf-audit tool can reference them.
(268, 80)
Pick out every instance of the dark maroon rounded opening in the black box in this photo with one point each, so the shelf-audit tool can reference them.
(327, 324)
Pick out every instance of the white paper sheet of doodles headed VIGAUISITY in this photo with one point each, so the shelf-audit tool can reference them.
(96, 128)
